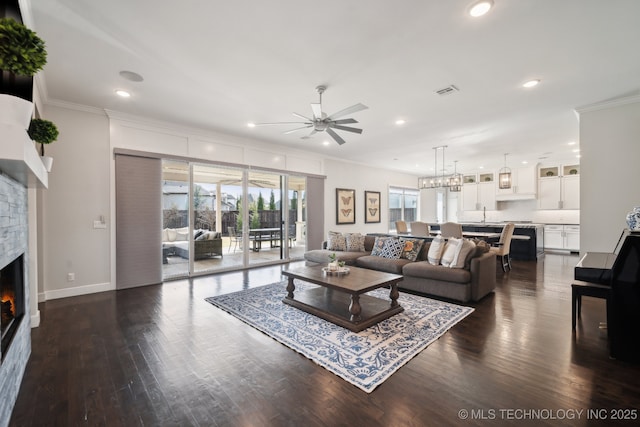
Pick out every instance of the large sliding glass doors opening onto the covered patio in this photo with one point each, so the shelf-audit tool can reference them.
(218, 218)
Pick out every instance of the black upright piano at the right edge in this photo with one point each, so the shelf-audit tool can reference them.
(620, 271)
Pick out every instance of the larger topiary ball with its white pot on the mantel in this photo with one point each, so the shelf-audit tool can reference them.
(22, 53)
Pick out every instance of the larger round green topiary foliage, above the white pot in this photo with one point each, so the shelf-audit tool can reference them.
(22, 52)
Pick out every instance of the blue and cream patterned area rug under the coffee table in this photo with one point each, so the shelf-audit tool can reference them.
(366, 358)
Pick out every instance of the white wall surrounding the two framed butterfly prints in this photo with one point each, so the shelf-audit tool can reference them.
(360, 178)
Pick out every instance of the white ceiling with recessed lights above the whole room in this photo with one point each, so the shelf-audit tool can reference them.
(221, 64)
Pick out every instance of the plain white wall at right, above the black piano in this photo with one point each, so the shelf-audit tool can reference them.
(609, 171)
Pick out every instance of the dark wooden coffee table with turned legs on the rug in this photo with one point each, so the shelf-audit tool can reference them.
(340, 299)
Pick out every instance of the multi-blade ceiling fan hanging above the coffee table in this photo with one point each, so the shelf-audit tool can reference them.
(321, 122)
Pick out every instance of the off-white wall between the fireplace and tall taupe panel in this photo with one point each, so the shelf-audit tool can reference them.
(78, 194)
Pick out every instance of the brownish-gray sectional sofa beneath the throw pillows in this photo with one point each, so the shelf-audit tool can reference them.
(471, 283)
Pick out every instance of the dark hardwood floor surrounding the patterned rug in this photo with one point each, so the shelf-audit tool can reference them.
(162, 356)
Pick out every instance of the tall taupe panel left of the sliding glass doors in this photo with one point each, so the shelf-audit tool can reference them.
(138, 221)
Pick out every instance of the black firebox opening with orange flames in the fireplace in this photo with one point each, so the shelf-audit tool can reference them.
(12, 299)
